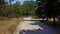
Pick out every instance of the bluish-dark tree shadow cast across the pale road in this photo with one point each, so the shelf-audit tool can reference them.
(46, 29)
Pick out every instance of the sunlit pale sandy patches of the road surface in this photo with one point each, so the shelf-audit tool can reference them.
(25, 25)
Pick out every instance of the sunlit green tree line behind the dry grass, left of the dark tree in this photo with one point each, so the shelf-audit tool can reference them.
(7, 9)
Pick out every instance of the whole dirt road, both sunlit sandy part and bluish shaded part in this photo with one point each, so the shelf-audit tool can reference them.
(34, 27)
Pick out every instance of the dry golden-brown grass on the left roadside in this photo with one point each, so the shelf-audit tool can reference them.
(8, 26)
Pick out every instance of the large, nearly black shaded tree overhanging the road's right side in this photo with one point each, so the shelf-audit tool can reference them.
(48, 9)
